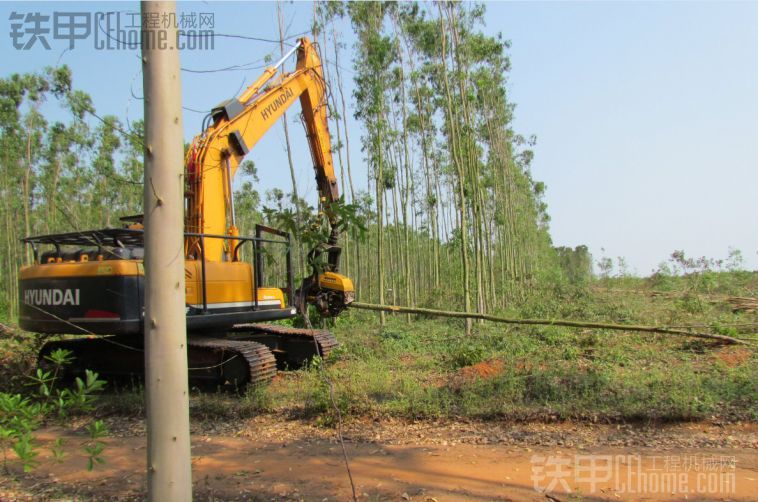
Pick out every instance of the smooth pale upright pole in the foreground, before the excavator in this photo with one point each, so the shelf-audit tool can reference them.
(169, 472)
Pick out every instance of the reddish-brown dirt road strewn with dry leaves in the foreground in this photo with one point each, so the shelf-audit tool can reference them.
(269, 459)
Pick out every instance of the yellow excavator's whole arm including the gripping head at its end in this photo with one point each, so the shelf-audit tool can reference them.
(234, 127)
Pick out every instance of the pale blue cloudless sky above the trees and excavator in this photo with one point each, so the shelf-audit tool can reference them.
(645, 113)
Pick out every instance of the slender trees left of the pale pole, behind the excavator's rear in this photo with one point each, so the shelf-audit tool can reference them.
(62, 175)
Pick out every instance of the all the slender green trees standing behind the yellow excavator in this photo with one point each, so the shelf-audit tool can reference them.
(450, 214)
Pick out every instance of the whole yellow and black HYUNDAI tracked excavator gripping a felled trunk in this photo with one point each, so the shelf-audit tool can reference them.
(92, 282)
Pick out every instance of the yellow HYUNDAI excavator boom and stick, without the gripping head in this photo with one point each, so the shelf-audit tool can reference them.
(237, 126)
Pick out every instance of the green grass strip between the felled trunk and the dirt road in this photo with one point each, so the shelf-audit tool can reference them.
(542, 373)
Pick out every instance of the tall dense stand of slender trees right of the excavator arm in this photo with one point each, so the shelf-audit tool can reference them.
(456, 219)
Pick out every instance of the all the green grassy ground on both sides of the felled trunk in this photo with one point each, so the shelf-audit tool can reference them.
(430, 369)
